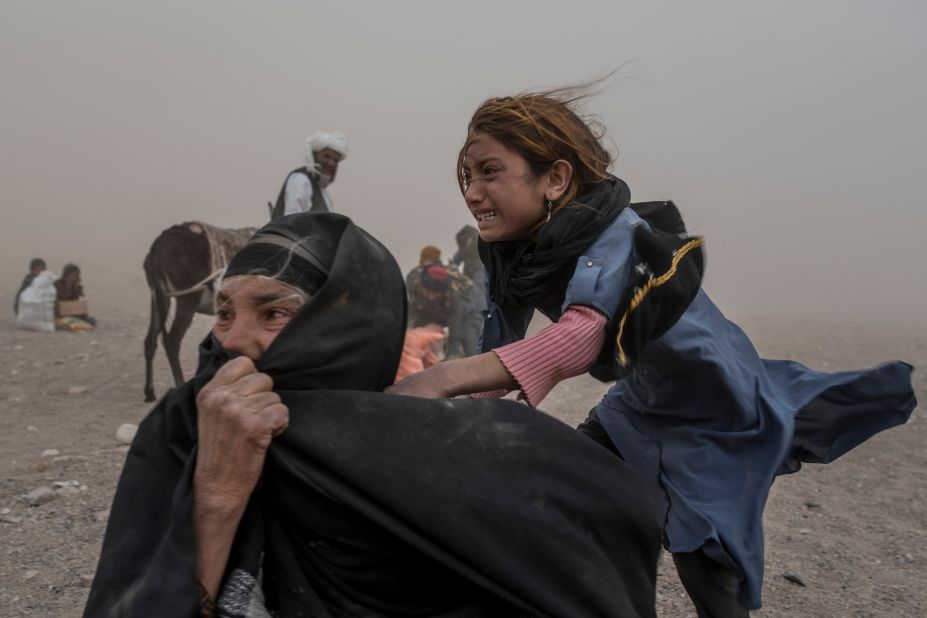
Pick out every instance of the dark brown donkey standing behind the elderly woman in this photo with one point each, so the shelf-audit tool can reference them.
(184, 263)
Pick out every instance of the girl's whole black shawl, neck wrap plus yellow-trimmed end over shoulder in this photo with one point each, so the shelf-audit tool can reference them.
(535, 272)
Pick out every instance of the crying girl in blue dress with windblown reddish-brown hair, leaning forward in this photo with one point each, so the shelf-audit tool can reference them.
(695, 411)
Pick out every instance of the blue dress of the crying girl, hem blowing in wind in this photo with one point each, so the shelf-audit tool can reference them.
(708, 422)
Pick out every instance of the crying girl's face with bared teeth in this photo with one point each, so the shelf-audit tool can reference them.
(503, 194)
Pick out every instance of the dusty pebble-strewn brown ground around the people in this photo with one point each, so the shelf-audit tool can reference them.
(854, 531)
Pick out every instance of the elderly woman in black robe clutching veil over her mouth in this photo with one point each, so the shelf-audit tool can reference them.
(279, 482)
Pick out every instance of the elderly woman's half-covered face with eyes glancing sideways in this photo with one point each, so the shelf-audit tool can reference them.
(251, 311)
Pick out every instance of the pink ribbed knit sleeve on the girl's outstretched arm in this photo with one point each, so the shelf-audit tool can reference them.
(562, 350)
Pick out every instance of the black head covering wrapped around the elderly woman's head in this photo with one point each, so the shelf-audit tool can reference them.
(356, 289)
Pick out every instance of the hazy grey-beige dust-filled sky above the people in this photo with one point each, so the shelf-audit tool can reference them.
(792, 134)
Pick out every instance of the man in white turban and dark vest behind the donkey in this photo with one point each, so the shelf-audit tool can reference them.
(306, 188)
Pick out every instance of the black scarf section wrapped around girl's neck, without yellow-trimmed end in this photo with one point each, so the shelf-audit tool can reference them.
(535, 272)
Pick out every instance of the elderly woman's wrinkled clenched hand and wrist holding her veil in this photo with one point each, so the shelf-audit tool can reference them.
(238, 415)
